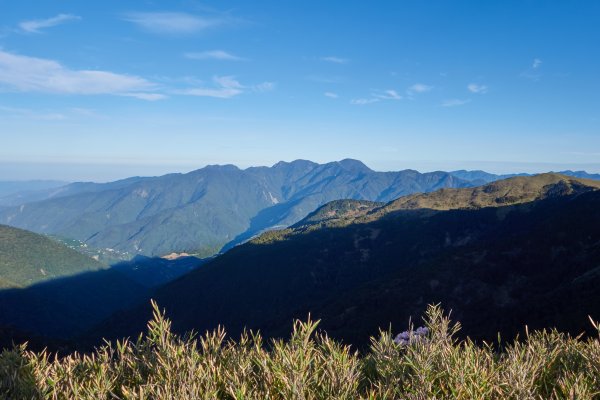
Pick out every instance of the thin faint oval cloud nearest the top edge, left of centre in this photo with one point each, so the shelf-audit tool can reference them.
(172, 22)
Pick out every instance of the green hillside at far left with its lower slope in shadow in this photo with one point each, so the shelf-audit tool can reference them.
(49, 291)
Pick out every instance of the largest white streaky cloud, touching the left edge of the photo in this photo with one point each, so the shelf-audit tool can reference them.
(30, 74)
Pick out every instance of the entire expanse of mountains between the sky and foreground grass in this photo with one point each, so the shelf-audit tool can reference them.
(336, 240)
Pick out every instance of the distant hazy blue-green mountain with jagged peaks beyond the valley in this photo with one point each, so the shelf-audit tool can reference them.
(204, 210)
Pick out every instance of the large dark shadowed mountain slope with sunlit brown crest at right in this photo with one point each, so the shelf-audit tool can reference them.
(524, 250)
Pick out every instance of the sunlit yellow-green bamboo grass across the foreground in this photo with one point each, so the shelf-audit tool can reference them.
(161, 365)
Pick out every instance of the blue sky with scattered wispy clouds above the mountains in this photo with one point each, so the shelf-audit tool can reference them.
(102, 90)
